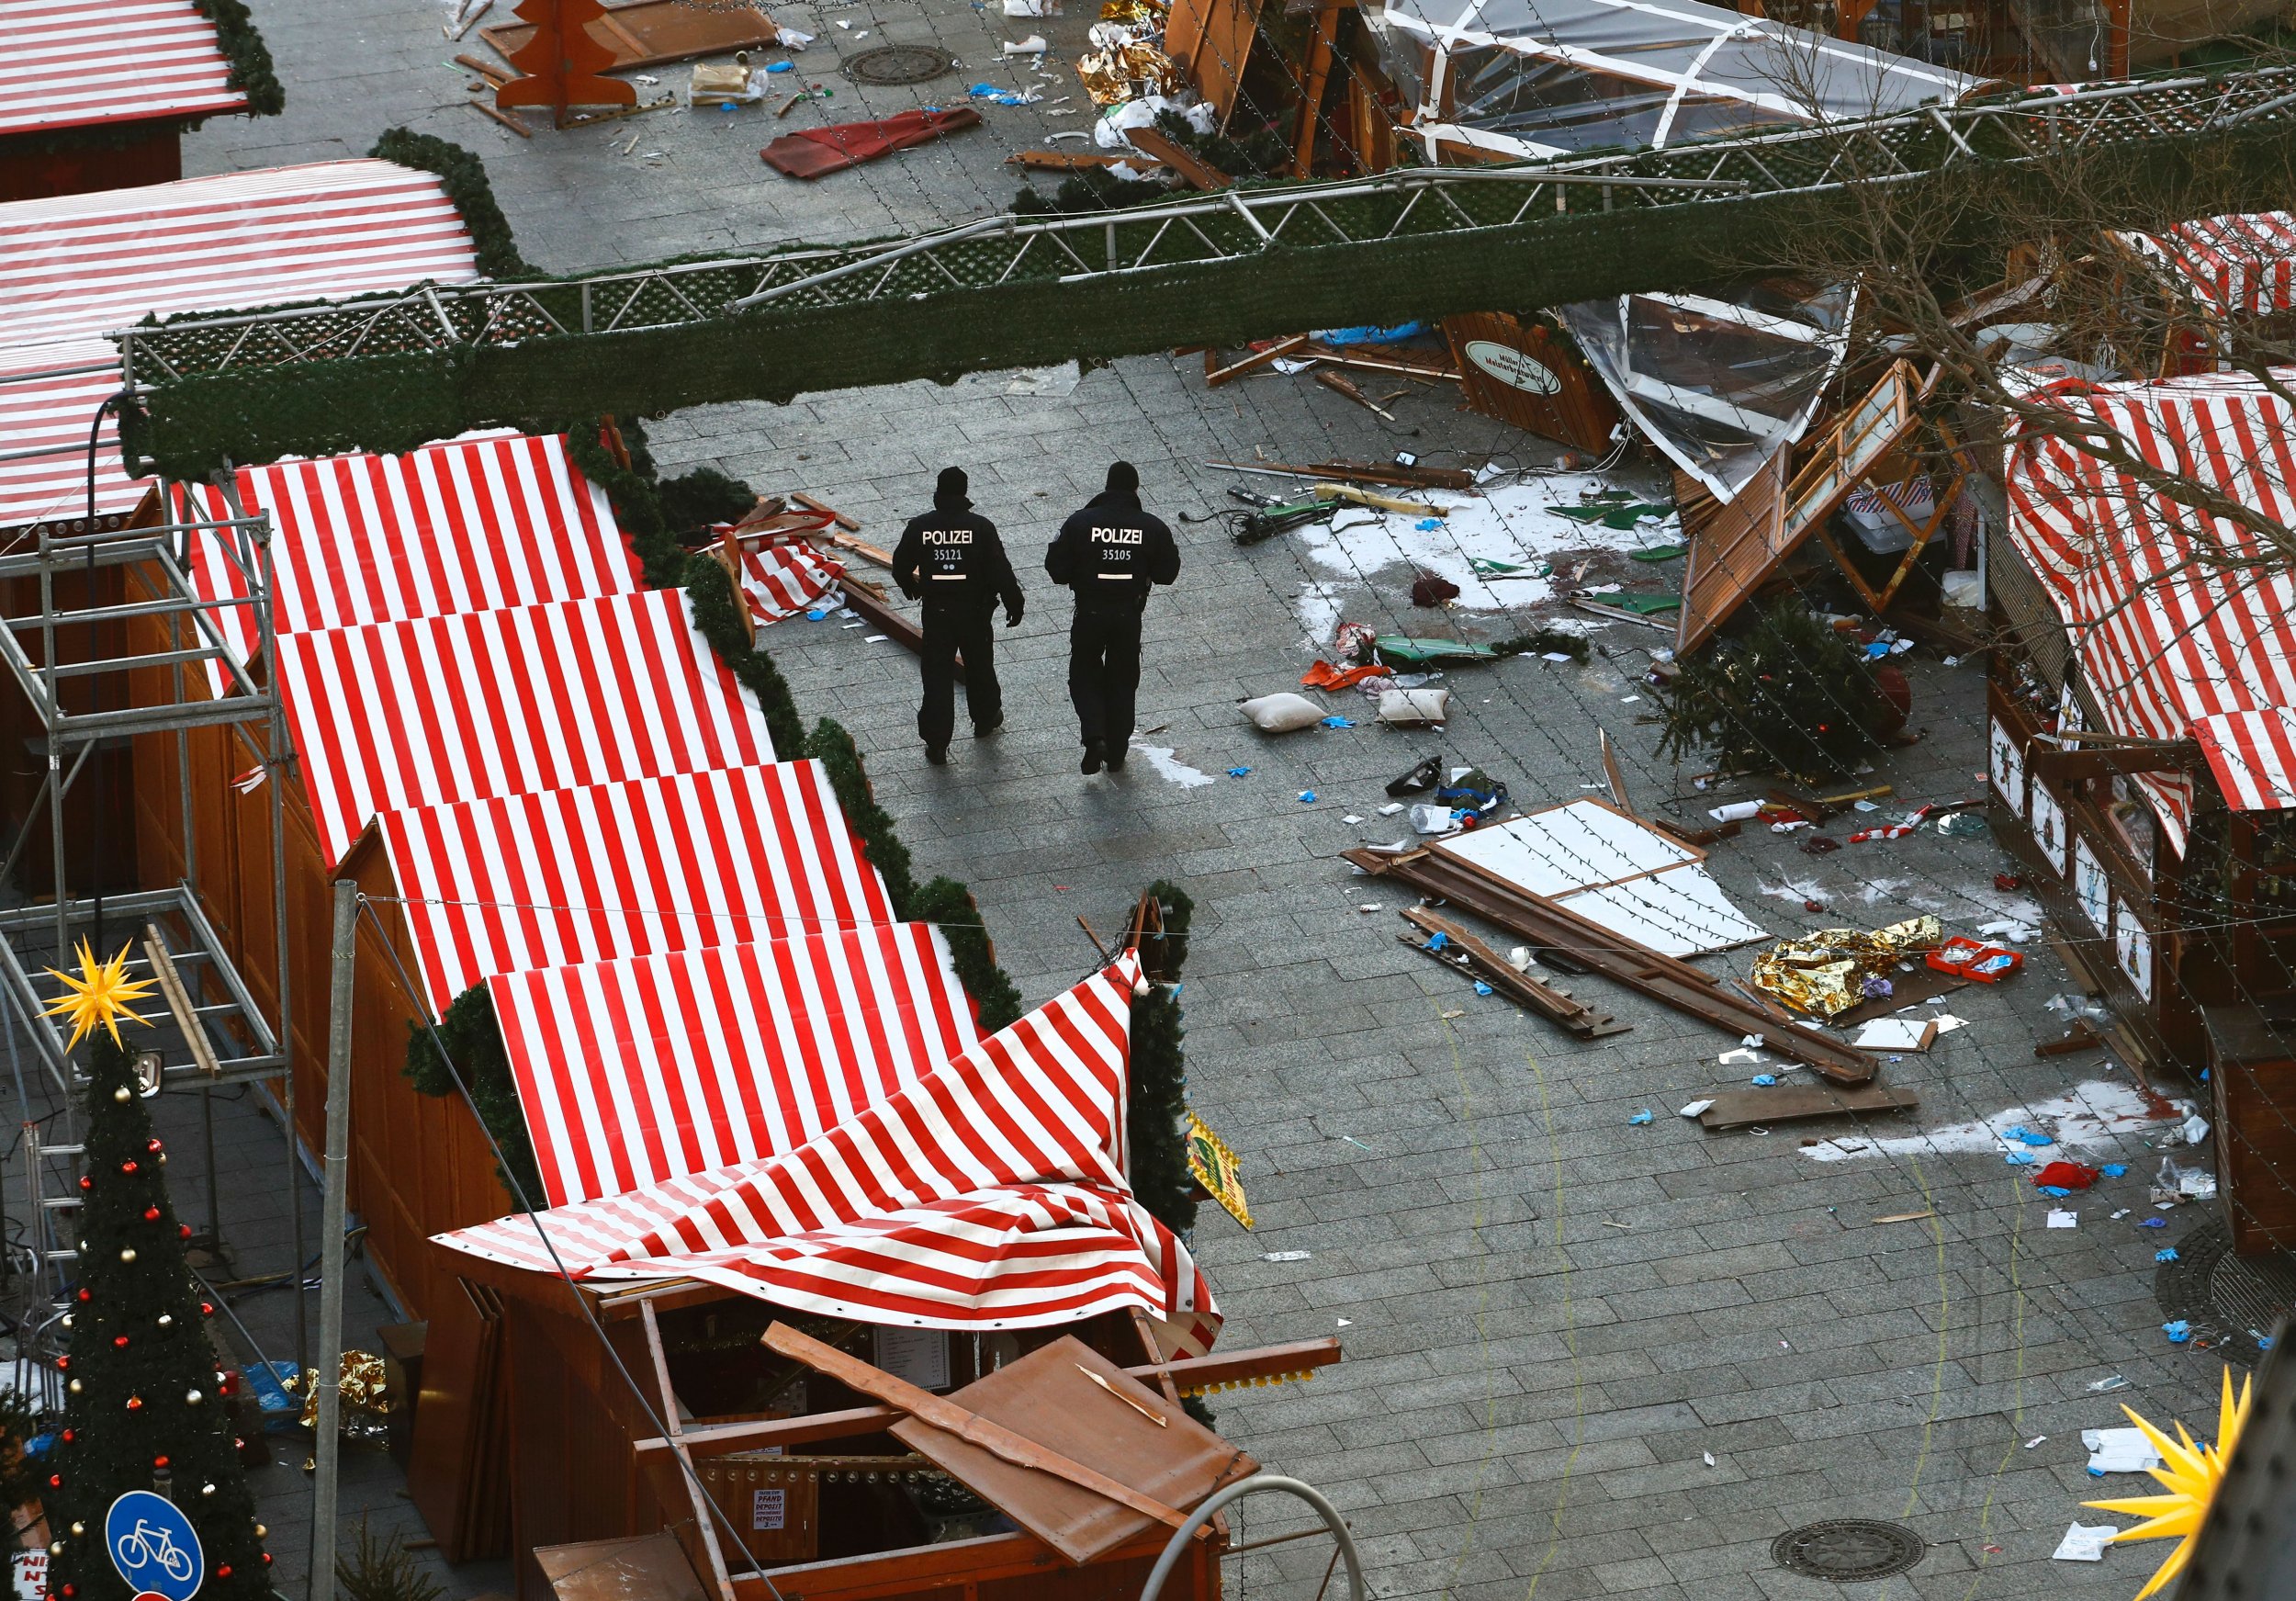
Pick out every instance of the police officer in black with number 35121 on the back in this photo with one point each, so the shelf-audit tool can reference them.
(954, 562)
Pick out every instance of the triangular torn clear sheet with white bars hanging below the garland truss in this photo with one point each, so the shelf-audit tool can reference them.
(1721, 382)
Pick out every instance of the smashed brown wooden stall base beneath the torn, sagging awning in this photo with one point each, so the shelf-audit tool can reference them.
(805, 1480)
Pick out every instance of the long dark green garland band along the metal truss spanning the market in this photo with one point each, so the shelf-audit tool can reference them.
(777, 353)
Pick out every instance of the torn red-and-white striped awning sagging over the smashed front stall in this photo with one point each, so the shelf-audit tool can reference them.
(991, 1193)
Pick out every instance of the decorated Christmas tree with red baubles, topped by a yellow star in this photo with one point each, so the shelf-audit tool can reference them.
(146, 1402)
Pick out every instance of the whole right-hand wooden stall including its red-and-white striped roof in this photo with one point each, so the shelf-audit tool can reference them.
(2143, 750)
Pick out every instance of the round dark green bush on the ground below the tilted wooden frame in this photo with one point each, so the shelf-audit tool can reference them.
(1790, 697)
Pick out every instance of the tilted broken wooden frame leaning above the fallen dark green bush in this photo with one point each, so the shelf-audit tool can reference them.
(1886, 442)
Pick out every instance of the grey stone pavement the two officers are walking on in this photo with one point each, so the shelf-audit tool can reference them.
(1585, 1359)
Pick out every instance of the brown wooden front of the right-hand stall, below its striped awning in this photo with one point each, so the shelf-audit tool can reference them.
(2194, 952)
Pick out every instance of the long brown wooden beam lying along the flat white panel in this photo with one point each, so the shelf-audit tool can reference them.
(1624, 961)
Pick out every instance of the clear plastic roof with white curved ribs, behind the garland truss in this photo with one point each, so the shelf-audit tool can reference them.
(1567, 77)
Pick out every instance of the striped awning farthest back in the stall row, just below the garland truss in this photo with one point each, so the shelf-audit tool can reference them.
(472, 525)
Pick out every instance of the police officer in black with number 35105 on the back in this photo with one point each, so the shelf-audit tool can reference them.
(1110, 555)
